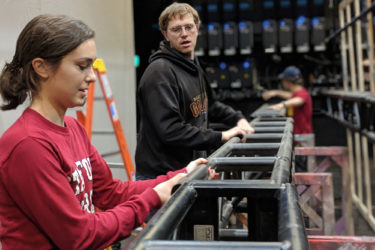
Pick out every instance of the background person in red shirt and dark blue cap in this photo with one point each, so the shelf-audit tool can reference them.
(298, 103)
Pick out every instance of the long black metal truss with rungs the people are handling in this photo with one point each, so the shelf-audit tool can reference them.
(194, 217)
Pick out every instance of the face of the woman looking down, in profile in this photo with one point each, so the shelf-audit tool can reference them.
(67, 87)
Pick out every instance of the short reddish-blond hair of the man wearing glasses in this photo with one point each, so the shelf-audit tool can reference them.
(177, 9)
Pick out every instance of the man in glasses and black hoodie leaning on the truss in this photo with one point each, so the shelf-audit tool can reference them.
(173, 101)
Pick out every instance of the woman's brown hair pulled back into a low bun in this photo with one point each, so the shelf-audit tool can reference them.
(50, 37)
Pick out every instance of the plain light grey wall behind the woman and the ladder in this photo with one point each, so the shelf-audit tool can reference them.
(112, 21)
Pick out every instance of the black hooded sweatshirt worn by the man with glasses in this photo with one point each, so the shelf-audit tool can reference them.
(172, 101)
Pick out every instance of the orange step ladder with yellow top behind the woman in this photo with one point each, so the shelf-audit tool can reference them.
(86, 119)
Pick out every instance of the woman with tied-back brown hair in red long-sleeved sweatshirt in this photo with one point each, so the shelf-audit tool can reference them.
(51, 177)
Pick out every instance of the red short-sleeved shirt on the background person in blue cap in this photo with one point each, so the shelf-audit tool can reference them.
(302, 115)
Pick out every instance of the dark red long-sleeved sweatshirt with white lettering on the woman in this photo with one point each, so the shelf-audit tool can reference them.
(50, 179)
